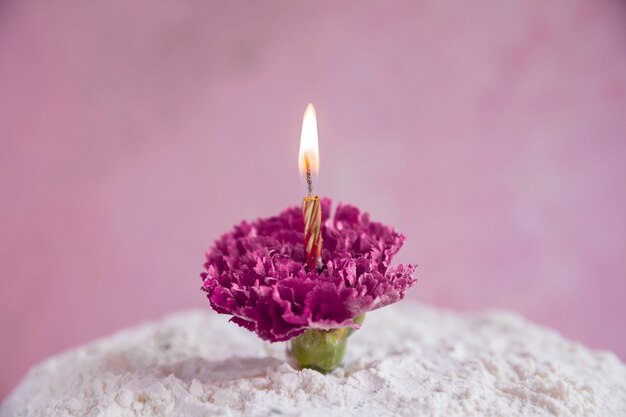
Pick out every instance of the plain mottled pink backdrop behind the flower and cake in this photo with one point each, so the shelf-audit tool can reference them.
(493, 134)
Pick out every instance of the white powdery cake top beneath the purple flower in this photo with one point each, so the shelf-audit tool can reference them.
(407, 360)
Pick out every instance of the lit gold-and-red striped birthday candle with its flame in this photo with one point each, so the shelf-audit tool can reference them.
(308, 164)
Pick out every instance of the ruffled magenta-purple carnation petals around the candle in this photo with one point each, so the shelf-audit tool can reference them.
(256, 273)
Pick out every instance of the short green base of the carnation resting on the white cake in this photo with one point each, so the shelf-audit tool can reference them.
(321, 350)
